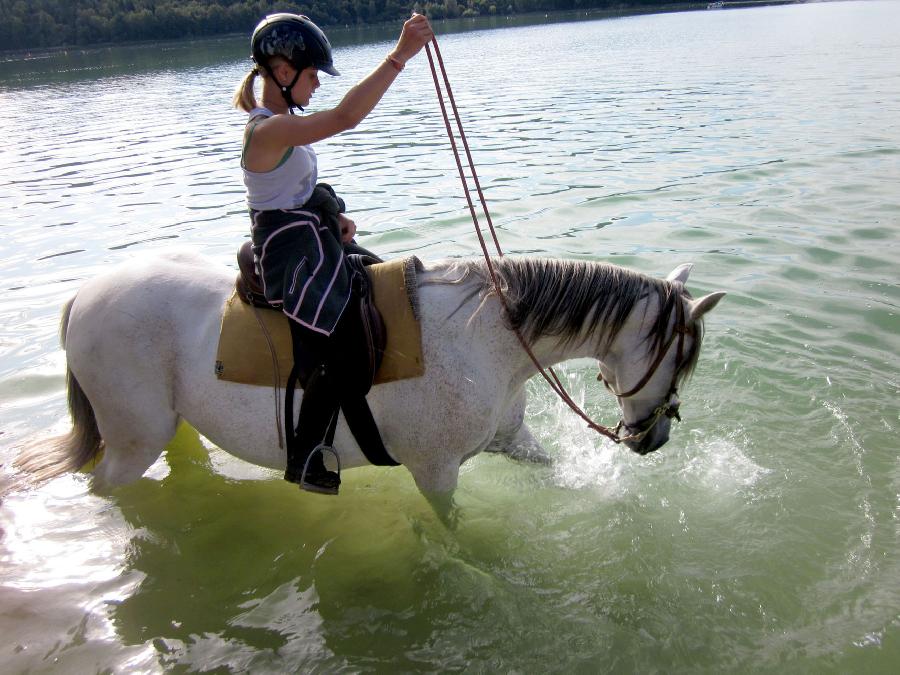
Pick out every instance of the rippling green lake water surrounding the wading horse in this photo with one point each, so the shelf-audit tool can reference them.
(761, 144)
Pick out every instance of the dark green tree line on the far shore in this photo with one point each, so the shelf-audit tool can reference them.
(38, 24)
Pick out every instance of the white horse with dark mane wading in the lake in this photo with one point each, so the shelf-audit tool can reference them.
(141, 345)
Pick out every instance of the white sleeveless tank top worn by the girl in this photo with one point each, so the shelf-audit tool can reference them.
(289, 185)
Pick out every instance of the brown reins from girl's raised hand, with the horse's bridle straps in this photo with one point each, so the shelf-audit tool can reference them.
(644, 426)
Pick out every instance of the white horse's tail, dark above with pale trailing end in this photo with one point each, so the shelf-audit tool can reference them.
(46, 459)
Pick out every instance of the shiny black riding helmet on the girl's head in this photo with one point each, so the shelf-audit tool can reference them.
(294, 37)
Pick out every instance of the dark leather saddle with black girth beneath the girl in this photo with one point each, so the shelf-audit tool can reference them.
(359, 418)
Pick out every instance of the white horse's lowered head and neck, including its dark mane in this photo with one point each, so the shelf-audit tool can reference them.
(645, 332)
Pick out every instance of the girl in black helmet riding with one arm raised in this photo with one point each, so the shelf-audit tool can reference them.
(298, 229)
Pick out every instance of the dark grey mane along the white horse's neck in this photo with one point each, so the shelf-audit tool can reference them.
(571, 299)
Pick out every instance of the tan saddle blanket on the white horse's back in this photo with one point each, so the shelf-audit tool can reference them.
(255, 344)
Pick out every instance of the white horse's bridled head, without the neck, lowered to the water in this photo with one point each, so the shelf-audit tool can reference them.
(647, 367)
